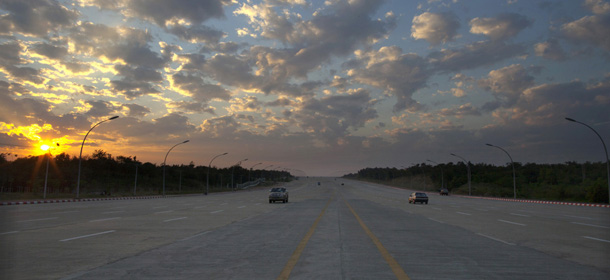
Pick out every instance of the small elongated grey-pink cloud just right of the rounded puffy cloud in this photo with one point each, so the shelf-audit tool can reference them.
(502, 27)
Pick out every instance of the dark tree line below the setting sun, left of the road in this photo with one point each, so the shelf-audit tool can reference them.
(103, 174)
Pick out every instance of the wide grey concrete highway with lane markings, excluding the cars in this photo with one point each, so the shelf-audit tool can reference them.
(340, 229)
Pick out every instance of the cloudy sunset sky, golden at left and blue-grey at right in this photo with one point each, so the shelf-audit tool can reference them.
(316, 88)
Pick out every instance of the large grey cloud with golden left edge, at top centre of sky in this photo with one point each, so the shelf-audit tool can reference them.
(315, 41)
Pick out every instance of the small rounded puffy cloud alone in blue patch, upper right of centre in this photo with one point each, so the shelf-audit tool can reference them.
(435, 28)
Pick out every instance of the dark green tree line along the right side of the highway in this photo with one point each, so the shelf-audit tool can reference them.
(570, 181)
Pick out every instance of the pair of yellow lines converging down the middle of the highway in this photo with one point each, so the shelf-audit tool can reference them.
(398, 271)
